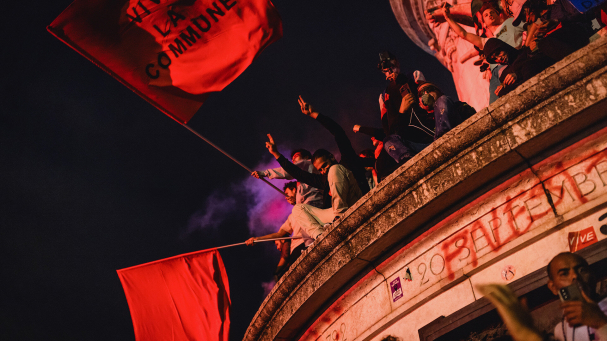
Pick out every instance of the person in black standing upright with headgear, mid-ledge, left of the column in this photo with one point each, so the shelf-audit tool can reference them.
(408, 128)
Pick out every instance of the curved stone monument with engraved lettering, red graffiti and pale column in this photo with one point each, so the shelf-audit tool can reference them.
(491, 201)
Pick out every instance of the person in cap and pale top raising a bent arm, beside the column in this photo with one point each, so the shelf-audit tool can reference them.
(495, 27)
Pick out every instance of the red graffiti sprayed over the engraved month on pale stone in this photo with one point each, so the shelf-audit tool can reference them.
(563, 188)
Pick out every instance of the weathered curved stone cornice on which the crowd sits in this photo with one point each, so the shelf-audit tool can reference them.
(564, 102)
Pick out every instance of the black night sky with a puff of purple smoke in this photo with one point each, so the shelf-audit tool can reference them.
(95, 179)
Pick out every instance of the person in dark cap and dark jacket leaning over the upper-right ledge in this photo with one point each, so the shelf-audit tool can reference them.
(522, 64)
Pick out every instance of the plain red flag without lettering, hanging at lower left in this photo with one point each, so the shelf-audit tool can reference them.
(185, 297)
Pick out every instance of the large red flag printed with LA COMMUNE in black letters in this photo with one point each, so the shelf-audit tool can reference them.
(173, 53)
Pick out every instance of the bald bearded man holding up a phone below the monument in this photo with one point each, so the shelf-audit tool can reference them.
(584, 313)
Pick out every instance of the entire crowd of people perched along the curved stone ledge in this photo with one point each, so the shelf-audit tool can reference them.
(515, 39)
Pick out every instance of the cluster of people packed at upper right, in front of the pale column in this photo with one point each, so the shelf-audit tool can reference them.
(517, 39)
